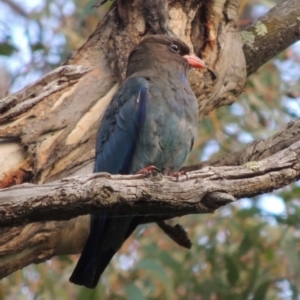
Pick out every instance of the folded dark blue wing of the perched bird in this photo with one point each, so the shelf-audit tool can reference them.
(120, 127)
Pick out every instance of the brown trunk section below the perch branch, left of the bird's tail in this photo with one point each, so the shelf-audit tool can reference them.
(37, 242)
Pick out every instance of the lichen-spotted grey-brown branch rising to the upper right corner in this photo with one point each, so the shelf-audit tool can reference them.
(271, 34)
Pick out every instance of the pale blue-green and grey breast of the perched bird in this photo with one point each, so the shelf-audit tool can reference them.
(169, 129)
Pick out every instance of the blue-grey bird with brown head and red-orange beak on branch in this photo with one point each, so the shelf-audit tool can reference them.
(151, 122)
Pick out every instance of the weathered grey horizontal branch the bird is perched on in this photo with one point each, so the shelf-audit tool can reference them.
(204, 191)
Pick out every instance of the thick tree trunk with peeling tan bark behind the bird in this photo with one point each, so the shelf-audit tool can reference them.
(51, 127)
